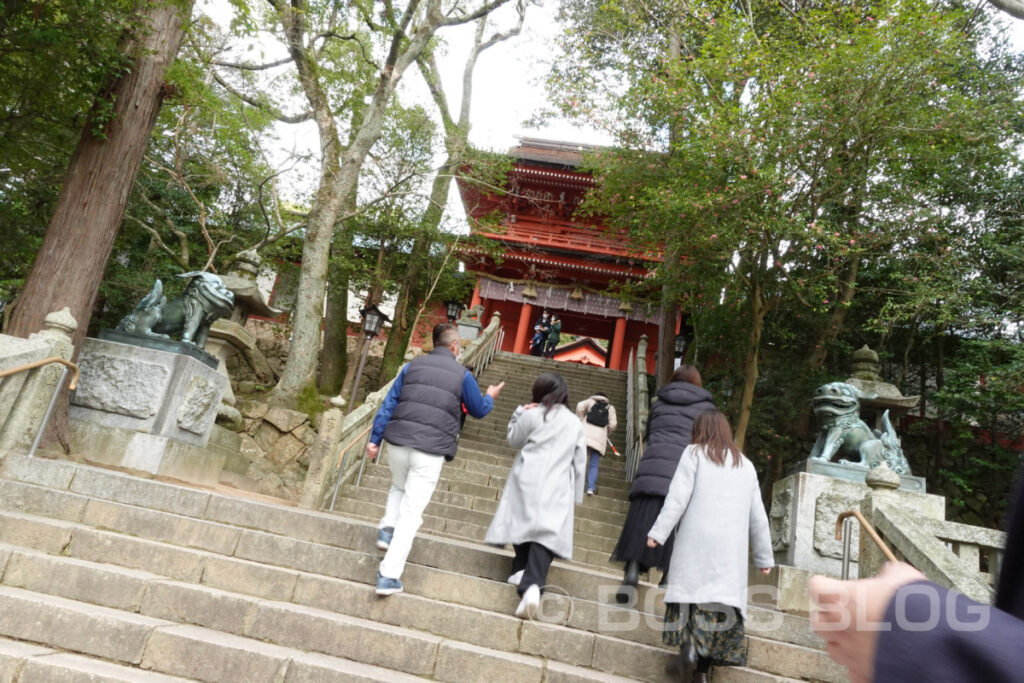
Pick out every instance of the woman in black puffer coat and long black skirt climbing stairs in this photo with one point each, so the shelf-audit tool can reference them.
(669, 425)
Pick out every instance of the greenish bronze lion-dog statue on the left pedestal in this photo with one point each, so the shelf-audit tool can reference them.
(204, 301)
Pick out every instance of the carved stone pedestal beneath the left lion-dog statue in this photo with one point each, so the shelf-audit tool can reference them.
(147, 410)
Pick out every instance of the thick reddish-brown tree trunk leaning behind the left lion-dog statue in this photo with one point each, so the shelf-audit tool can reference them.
(70, 266)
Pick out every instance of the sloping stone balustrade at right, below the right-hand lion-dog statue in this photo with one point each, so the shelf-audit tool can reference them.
(948, 553)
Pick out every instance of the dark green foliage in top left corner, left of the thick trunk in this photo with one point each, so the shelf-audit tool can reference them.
(77, 42)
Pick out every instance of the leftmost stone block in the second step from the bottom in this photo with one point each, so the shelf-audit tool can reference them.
(75, 626)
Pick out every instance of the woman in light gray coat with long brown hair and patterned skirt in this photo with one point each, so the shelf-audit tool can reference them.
(716, 501)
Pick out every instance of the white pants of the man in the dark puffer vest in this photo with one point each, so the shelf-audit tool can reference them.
(414, 478)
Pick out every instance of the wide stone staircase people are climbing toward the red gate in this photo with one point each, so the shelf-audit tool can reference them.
(107, 577)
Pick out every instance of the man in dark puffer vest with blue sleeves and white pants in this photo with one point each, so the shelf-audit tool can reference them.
(420, 419)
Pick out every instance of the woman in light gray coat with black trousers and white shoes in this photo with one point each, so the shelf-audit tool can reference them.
(536, 510)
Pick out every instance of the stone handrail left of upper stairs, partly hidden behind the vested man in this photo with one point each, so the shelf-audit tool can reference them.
(338, 451)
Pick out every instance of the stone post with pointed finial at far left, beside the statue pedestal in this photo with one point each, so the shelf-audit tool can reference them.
(26, 417)
